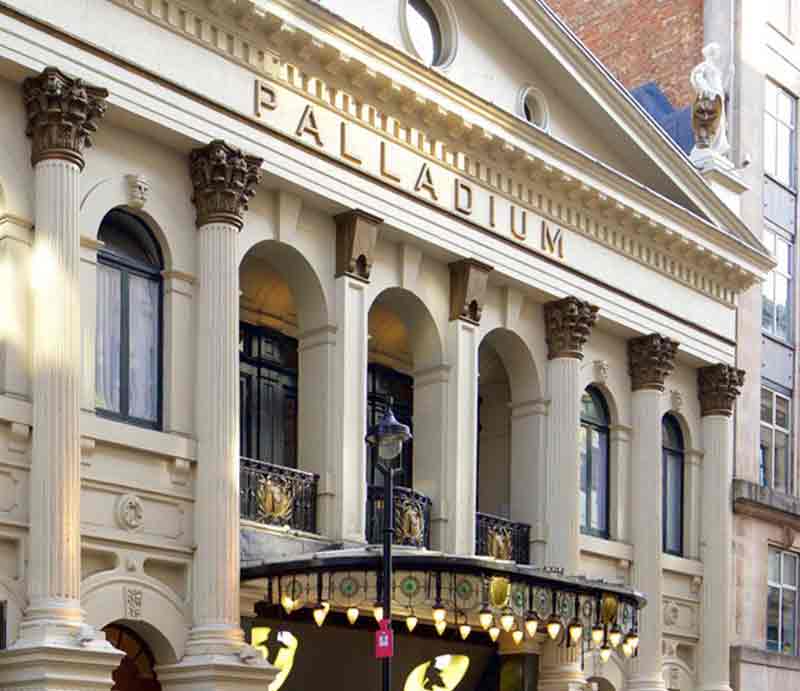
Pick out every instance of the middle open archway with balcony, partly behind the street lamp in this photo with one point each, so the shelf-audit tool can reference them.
(404, 346)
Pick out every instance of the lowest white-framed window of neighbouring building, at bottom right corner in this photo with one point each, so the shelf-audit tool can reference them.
(782, 601)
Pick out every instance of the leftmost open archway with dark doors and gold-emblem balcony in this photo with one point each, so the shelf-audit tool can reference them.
(282, 427)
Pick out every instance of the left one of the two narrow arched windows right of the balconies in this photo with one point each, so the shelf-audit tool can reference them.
(594, 463)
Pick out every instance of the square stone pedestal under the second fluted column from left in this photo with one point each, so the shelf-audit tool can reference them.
(218, 673)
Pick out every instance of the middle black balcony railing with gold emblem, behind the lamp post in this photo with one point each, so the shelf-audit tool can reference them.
(412, 517)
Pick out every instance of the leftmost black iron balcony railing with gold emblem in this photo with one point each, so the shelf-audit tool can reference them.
(277, 495)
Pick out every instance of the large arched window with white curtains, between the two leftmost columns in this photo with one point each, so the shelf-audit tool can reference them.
(128, 350)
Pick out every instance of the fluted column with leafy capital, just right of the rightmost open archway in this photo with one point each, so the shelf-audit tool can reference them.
(568, 324)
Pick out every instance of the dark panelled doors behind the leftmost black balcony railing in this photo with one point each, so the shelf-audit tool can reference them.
(268, 395)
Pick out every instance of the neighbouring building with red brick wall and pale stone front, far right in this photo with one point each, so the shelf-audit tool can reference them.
(759, 41)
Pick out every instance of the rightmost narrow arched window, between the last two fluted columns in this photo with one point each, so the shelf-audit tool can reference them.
(672, 485)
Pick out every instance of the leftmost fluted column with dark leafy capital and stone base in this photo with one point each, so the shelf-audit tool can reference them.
(55, 648)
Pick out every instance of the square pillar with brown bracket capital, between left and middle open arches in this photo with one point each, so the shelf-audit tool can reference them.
(346, 481)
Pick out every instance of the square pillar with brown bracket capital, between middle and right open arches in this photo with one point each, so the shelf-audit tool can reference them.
(458, 503)
